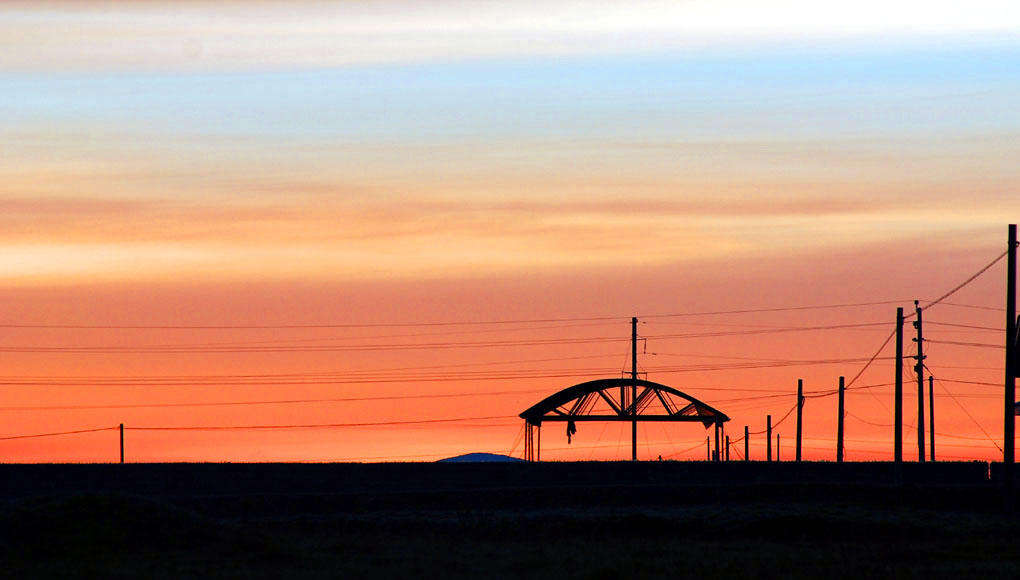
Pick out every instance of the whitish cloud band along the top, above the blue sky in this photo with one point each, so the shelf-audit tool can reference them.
(260, 35)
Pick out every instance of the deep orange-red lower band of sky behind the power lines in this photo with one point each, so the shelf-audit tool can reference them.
(743, 283)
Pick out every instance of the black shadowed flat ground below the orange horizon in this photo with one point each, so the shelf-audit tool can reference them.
(673, 520)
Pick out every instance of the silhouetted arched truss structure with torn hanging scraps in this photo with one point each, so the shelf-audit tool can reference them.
(630, 400)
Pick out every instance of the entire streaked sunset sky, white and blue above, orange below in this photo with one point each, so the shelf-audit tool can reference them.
(235, 215)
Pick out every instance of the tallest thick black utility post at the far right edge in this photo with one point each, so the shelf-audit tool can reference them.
(1009, 424)
